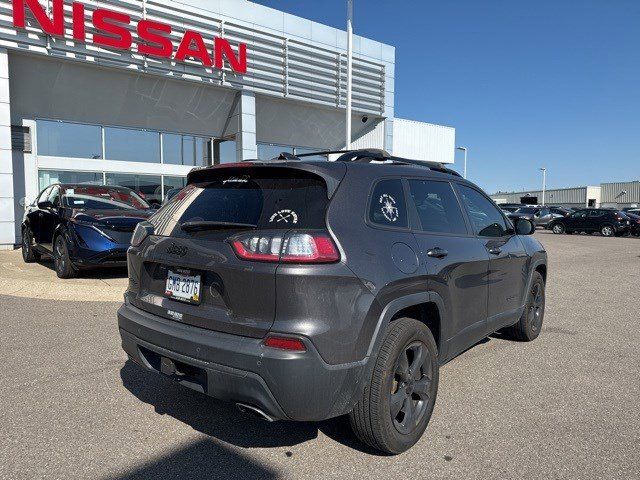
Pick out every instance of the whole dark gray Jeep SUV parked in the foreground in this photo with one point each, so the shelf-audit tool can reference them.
(305, 290)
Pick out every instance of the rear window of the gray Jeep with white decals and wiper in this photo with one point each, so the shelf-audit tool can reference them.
(285, 199)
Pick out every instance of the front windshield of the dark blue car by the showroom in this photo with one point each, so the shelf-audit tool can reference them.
(103, 198)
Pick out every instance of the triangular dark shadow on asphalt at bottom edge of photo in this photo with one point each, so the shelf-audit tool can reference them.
(200, 459)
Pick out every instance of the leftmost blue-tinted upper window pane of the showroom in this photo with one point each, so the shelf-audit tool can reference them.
(65, 139)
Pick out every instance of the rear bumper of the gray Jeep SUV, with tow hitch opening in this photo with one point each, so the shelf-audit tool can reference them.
(285, 385)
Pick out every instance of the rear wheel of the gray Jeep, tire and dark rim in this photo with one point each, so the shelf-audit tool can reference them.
(402, 383)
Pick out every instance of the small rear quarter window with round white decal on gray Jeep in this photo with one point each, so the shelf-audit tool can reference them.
(387, 207)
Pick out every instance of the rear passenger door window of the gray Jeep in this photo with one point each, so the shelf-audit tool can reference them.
(437, 207)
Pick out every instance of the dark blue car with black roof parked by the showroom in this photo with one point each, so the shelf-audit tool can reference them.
(82, 226)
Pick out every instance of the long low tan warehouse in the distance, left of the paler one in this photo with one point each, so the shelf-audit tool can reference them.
(564, 197)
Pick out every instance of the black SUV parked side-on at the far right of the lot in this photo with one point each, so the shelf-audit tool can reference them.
(608, 222)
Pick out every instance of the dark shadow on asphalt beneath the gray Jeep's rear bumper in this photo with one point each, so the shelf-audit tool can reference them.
(221, 420)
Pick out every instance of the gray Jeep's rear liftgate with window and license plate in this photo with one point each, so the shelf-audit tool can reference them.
(194, 237)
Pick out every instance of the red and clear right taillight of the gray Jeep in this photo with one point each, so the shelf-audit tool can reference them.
(294, 247)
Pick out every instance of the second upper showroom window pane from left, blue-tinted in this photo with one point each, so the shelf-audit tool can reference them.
(131, 145)
